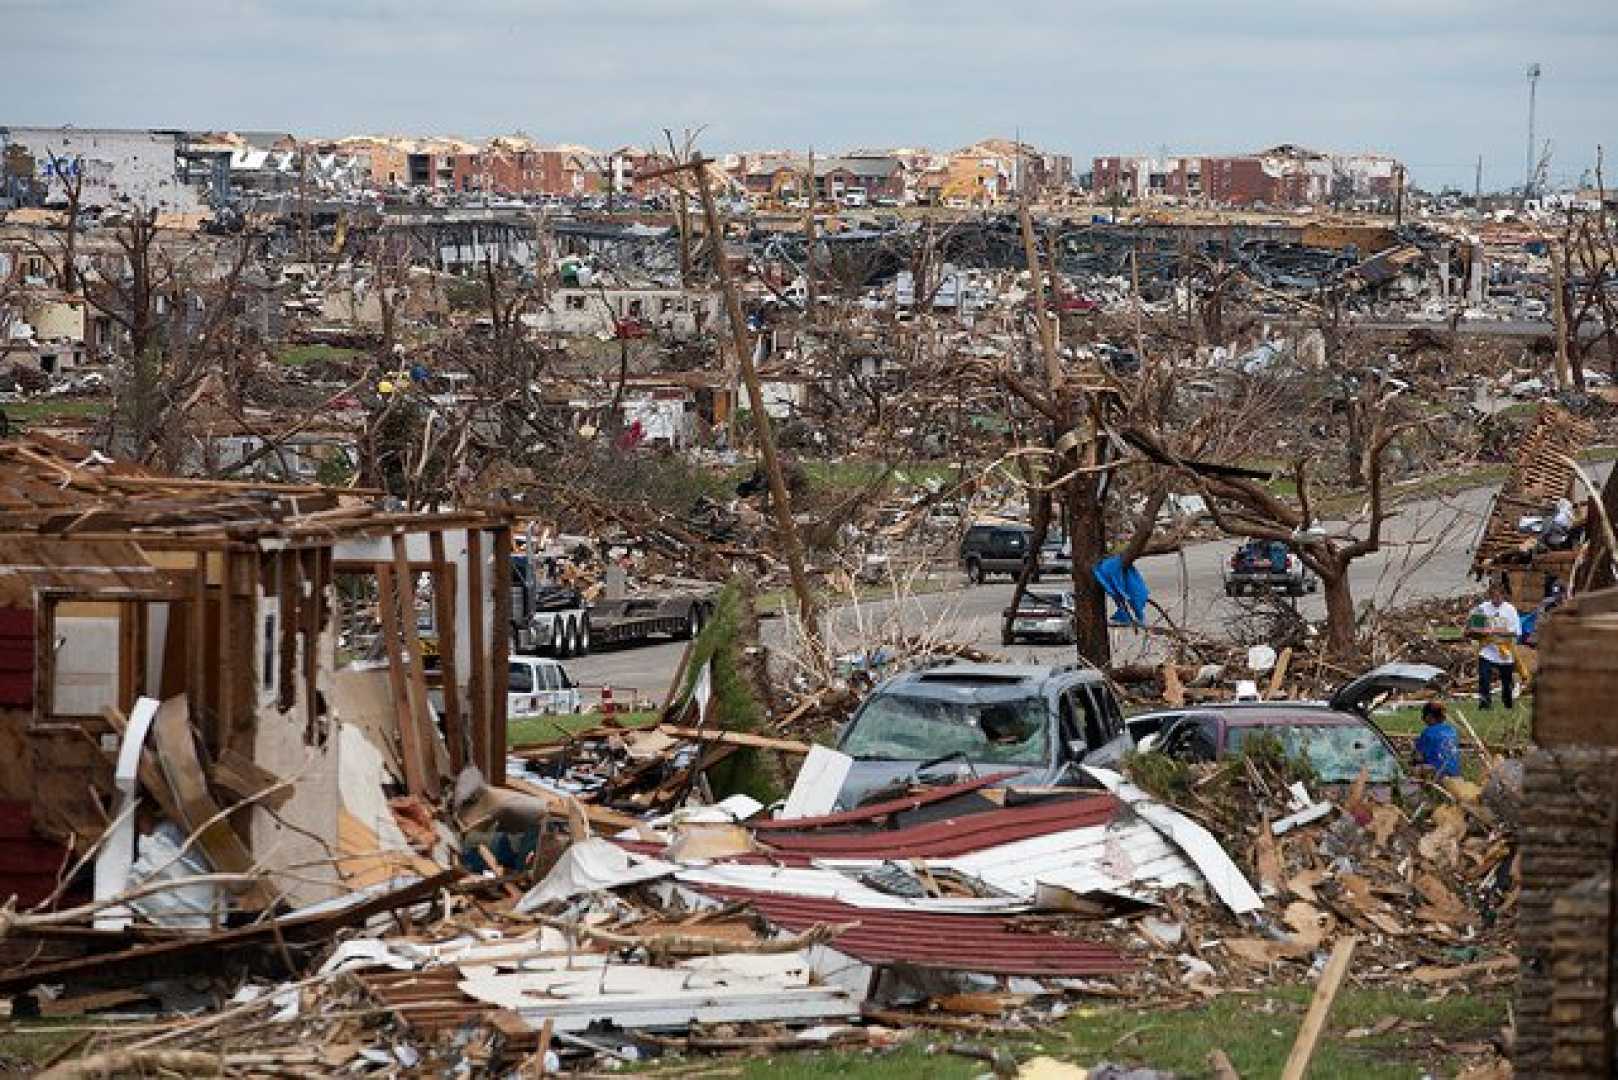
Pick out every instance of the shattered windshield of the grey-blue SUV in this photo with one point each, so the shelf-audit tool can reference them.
(899, 728)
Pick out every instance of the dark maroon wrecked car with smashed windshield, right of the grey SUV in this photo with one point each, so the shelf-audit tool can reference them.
(1337, 736)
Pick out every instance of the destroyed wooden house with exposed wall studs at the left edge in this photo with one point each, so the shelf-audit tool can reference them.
(308, 657)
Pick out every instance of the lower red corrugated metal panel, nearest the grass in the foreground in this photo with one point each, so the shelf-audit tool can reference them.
(960, 943)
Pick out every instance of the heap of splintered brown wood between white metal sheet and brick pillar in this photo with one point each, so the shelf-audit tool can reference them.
(1423, 875)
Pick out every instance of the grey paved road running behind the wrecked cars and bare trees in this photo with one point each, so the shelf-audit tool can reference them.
(1426, 553)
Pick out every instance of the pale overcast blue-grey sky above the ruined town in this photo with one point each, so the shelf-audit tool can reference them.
(1434, 82)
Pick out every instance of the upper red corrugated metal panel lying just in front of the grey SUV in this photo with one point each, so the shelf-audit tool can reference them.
(952, 836)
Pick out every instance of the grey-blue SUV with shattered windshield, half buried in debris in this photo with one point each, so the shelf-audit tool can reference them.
(944, 725)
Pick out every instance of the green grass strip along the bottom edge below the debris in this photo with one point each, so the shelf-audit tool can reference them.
(1255, 1031)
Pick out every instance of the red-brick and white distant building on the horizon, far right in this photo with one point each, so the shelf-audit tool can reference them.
(1279, 177)
